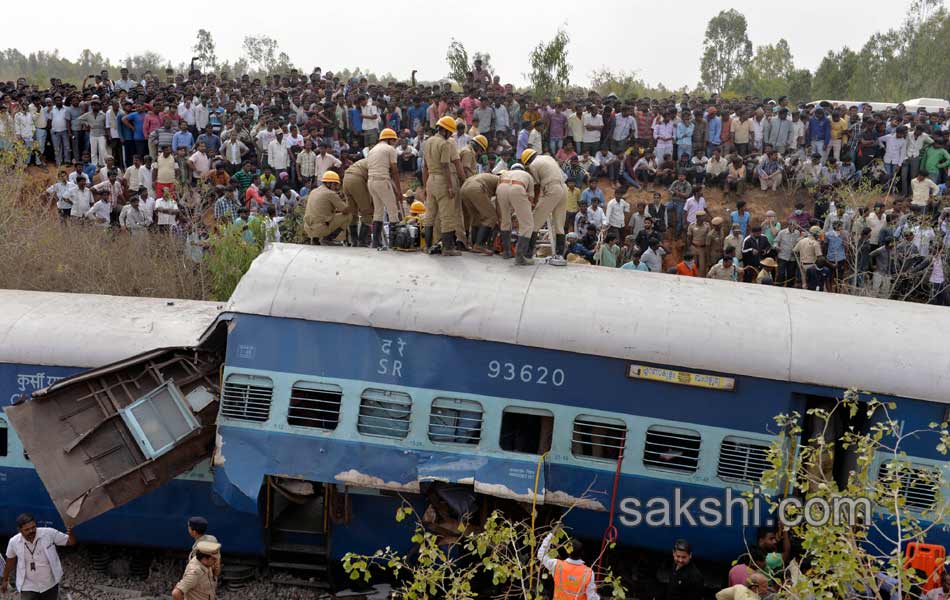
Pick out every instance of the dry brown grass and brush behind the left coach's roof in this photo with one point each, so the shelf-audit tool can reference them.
(41, 253)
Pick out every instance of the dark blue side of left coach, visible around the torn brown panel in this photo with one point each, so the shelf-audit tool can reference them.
(155, 520)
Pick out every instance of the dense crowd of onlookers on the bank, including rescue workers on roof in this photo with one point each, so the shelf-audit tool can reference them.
(496, 171)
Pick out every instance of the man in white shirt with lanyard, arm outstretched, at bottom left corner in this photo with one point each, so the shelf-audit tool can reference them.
(32, 554)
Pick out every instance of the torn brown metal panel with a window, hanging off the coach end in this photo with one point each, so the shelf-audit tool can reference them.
(105, 437)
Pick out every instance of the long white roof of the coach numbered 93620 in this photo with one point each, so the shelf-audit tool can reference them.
(881, 346)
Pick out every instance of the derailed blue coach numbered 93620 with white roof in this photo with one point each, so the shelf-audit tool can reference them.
(351, 380)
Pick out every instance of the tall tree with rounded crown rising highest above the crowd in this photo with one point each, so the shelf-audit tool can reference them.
(726, 50)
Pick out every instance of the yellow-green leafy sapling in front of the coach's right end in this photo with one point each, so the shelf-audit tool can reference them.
(872, 522)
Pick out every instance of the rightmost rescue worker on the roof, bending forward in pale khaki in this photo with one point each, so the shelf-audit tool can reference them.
(551, 205)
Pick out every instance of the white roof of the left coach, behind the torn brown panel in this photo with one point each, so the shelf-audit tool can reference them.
(84, 330)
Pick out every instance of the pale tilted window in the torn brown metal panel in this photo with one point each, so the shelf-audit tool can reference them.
(159, 420)
